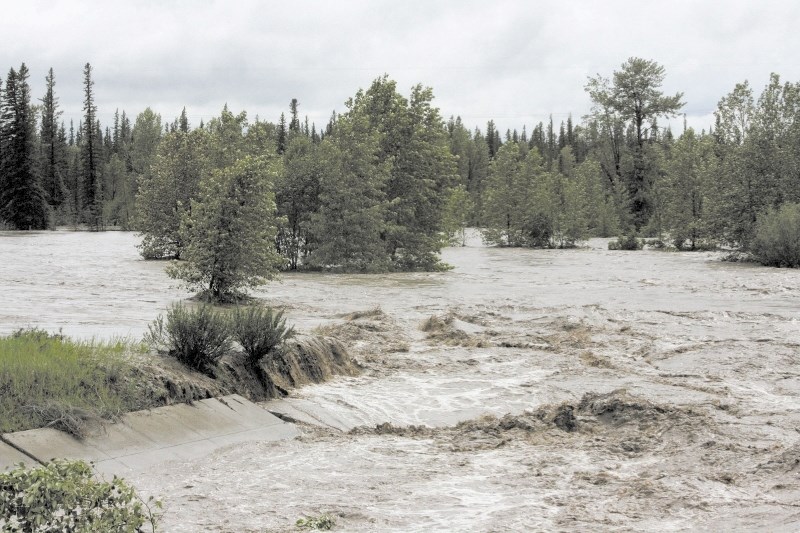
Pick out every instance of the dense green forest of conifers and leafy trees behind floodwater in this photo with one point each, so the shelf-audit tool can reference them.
(387, 183)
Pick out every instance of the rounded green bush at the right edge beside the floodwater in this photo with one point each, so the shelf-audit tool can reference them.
(777, 237)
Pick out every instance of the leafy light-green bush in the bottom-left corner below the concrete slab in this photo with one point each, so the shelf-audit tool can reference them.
(64, 496)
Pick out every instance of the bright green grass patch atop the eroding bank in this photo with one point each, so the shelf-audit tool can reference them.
(50, 380)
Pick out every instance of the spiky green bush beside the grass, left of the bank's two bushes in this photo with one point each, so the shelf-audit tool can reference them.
(196, 337)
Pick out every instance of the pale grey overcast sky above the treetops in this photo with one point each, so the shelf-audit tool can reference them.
(516, 62)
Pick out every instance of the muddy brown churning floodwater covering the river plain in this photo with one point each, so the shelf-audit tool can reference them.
(565, 390)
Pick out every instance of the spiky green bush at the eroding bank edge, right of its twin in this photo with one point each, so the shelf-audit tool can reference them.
(259, 329)
